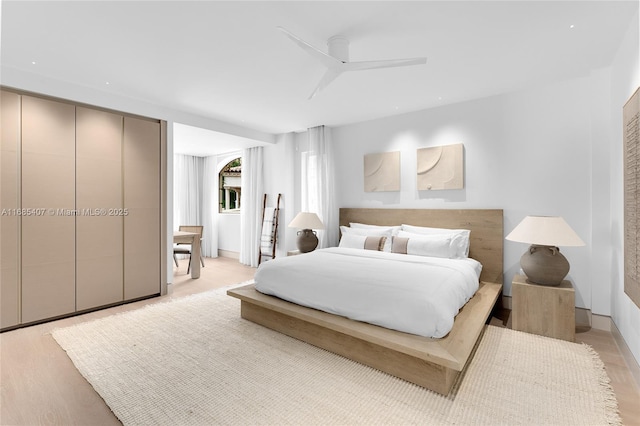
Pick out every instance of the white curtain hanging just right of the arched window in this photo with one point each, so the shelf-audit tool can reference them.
(251, 202)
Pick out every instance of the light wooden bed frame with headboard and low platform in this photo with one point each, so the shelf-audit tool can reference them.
(432, 363)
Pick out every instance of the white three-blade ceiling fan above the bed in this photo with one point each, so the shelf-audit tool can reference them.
(337, 59)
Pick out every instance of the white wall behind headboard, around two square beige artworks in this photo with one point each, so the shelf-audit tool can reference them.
(527, 153)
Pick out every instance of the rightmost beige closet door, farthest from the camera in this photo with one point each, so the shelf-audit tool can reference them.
(142, 231)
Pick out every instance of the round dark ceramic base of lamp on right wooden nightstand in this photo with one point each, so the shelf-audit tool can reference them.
(544, 265)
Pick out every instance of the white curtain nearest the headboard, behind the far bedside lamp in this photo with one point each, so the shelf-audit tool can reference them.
(318, 187)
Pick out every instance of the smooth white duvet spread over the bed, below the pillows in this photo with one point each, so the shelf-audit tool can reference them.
(413, 294)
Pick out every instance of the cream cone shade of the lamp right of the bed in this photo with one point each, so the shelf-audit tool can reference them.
(546, 231)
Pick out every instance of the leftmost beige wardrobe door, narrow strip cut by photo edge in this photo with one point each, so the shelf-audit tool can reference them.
(9, 204)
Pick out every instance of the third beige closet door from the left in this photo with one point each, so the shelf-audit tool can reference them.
(99, 224)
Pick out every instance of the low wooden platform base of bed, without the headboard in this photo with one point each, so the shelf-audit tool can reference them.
(432, 363)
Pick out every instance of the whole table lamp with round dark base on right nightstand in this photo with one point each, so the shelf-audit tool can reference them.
(543, 263)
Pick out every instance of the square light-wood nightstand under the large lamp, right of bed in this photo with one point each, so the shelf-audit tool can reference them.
(544, 310)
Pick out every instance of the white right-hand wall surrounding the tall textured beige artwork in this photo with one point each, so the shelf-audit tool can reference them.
(625, 79)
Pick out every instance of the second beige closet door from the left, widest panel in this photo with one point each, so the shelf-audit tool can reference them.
(48, 183)
